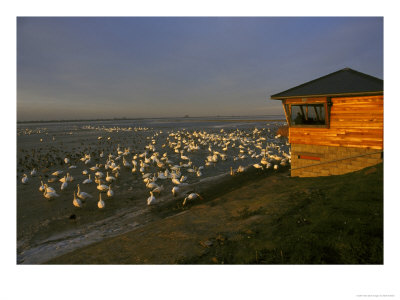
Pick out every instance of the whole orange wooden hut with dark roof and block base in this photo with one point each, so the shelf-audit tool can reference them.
(335, 123)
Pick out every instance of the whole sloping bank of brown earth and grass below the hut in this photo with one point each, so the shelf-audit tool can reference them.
(269, 219)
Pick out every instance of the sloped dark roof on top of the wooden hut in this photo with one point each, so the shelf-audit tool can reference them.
(340, 83)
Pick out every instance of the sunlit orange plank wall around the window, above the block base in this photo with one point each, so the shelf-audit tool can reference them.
(354, 122)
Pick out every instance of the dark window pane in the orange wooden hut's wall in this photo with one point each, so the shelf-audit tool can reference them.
(308, 114)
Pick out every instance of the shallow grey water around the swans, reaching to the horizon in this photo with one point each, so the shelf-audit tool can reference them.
(48, 228)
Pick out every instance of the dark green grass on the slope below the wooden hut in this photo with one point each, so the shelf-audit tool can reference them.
(331, 220)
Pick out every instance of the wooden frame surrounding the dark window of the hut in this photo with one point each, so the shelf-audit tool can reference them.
(326, 101)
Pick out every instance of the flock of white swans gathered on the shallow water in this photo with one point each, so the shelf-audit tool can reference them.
(165, 163)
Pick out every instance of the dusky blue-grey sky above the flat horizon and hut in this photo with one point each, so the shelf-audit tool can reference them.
(133, 67)
